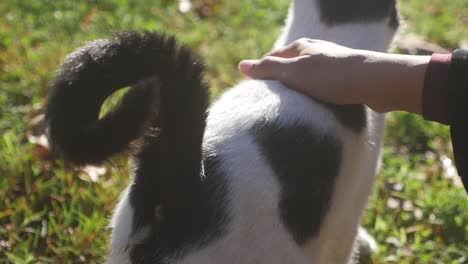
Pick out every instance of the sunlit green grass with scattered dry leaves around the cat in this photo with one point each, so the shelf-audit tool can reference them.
(49, 214)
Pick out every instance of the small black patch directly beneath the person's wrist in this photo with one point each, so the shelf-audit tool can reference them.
(350, 116)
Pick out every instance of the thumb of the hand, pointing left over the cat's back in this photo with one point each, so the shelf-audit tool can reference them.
(274, 68)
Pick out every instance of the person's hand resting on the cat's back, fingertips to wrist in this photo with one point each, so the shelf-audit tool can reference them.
(320, 69)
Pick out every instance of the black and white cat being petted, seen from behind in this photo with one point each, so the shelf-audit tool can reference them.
(273, 177)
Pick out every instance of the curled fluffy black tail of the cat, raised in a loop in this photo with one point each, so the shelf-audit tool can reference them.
(168, 91)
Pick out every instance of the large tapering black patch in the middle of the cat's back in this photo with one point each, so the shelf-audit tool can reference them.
(307, 164)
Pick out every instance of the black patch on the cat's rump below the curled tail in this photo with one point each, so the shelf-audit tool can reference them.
(180, 228)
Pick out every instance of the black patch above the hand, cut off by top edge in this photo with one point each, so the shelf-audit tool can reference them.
(345, 11)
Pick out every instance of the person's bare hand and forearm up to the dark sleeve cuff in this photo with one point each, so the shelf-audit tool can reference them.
(341, 75)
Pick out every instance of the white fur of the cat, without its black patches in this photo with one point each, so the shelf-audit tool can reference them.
(255, 233)
